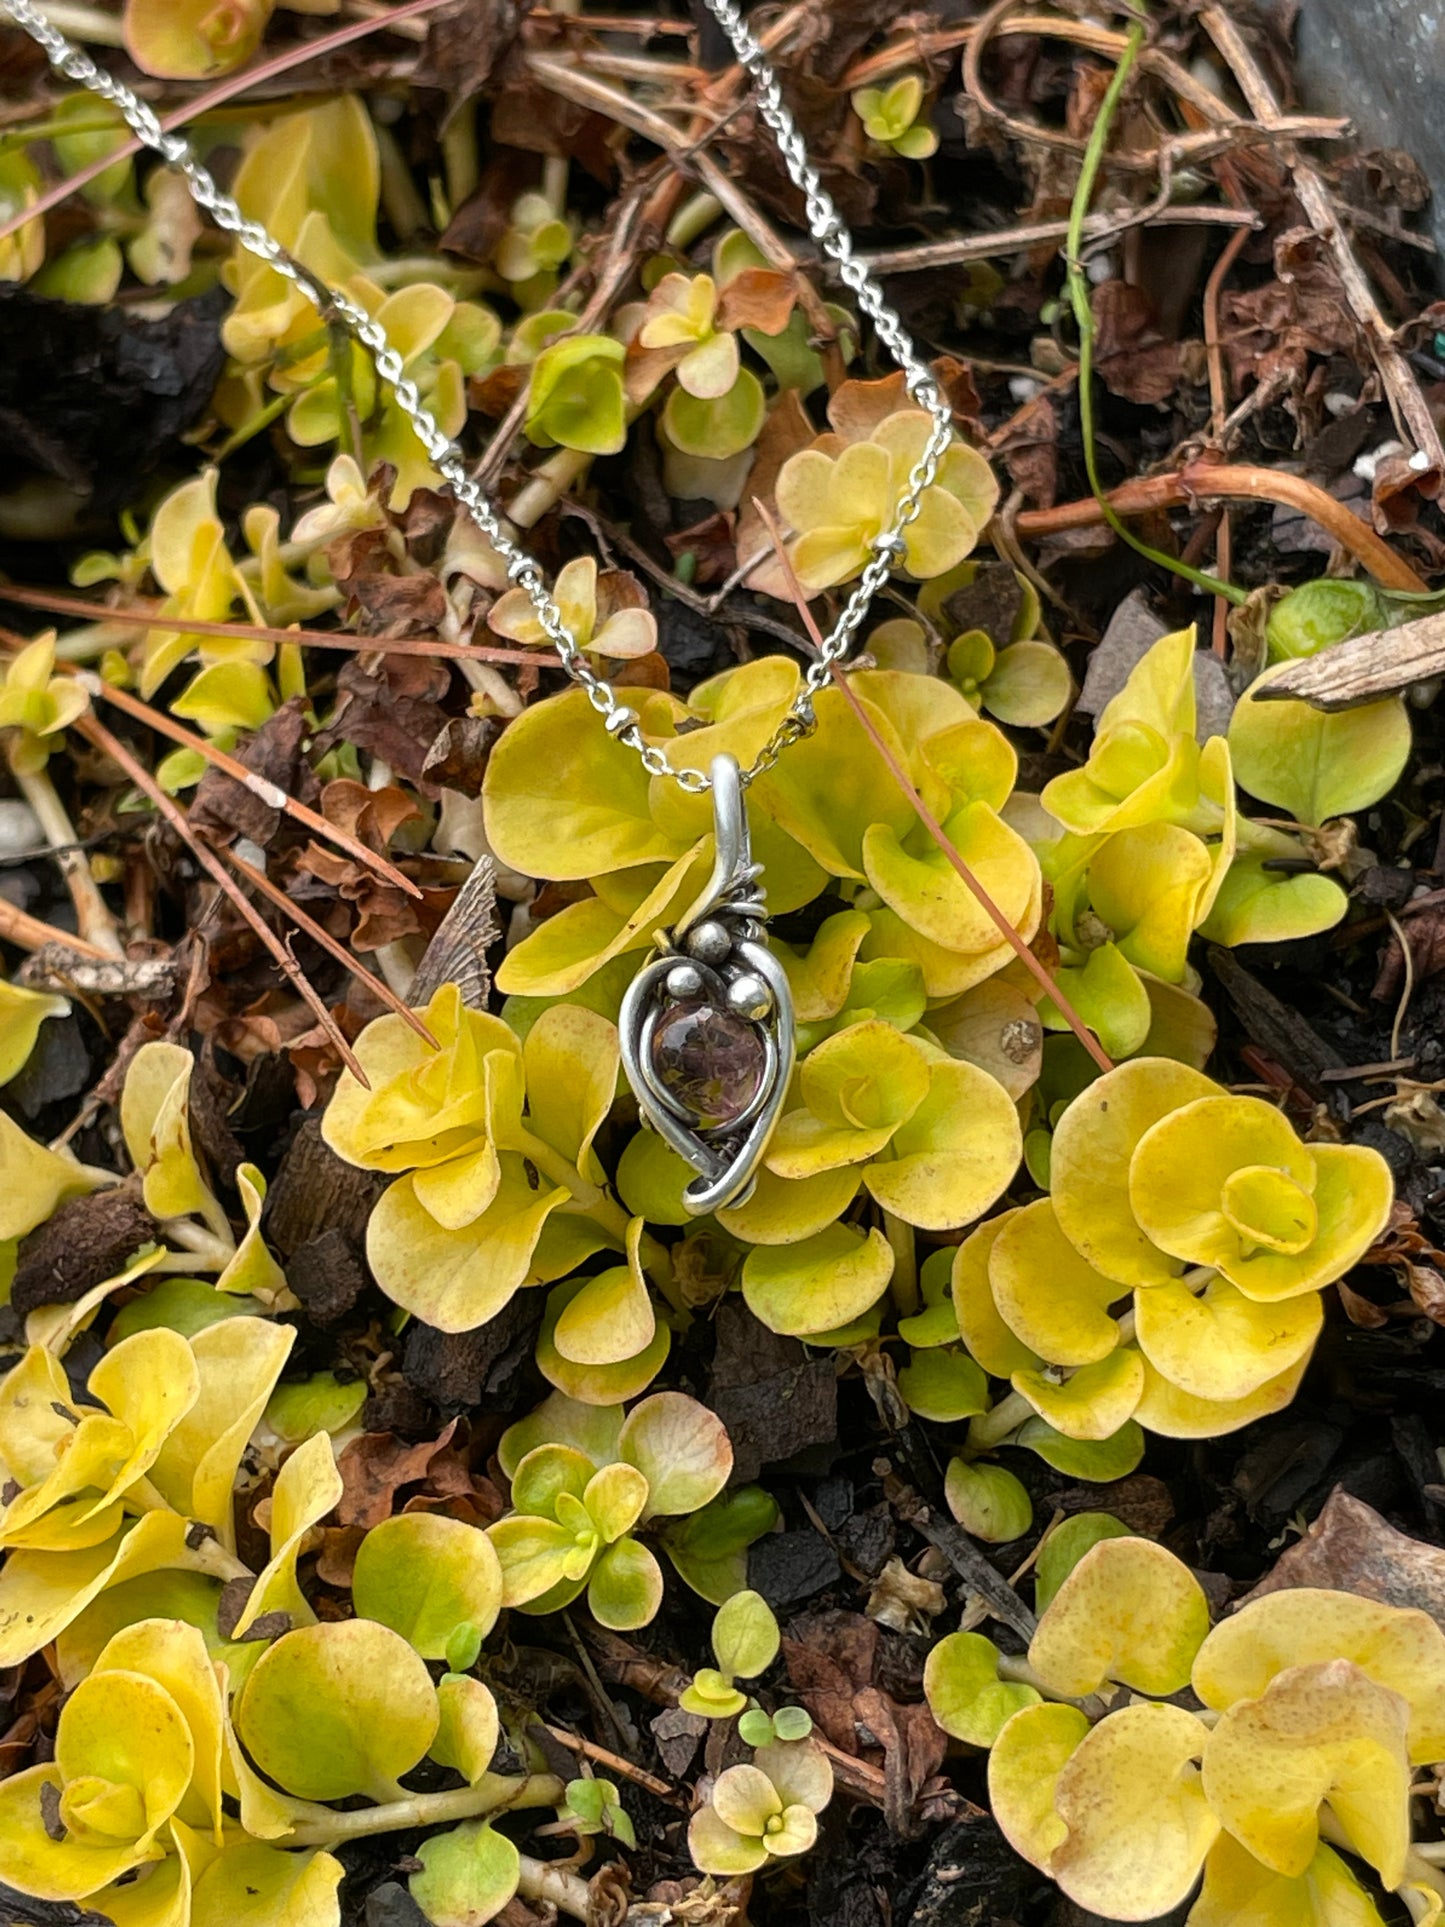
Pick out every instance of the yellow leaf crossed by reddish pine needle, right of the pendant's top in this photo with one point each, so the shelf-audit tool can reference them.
(930, 895)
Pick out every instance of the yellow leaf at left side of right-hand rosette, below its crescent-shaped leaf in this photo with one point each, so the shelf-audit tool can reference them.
(1047, 1296)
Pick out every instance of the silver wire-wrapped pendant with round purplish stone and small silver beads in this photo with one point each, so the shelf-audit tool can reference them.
(708, 1030)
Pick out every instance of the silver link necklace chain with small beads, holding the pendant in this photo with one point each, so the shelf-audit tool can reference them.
(826, 226)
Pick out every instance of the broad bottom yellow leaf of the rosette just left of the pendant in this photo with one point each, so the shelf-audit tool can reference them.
(458, 1280)
